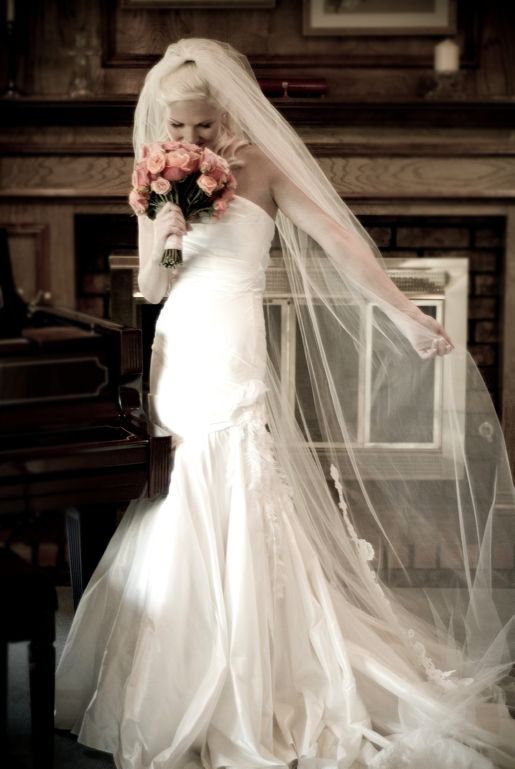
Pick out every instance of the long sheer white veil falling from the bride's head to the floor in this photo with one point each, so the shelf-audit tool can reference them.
(386, 453)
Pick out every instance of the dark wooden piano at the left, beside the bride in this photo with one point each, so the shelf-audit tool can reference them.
(73, 434)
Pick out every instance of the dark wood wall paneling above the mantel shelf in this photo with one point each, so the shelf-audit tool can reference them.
(125, 42)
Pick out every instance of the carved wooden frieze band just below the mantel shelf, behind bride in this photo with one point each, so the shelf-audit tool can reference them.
(353, 176)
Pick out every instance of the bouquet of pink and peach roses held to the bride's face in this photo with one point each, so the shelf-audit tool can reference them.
(194, 178)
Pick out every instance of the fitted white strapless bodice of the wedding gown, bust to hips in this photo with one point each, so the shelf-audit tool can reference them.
(211, 327)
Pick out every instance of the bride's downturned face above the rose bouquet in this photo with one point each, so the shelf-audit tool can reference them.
(198, 122)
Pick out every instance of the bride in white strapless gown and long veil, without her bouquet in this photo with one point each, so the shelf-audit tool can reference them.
(250, 618)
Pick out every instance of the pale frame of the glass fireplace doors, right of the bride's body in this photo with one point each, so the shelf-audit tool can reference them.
(439, 286)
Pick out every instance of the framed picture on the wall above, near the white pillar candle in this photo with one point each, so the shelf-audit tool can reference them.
(379, 17)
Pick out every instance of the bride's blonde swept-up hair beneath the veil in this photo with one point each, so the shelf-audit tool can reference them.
(186, 83)
